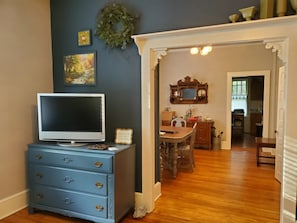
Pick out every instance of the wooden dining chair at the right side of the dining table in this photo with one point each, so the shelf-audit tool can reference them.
(186, 153)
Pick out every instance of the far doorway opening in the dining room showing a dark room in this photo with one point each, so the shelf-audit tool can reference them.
(247, 109)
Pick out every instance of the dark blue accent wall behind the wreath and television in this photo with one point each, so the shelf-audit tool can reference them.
(118, 71)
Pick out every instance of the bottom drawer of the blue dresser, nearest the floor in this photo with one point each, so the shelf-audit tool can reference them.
(68, 200)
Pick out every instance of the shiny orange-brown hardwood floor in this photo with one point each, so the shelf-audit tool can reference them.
(226, 186)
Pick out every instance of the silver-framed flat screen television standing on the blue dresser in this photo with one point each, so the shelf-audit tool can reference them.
(71, 118)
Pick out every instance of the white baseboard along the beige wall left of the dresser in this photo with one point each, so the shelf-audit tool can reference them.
(13, 204)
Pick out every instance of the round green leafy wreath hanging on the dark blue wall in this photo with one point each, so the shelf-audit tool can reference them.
(115, 26)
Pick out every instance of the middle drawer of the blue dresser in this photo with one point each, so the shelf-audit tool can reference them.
(78, 180)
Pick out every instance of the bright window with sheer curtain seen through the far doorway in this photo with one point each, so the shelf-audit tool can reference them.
(239, 94)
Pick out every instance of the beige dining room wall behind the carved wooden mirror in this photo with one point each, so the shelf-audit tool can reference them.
(212, 69)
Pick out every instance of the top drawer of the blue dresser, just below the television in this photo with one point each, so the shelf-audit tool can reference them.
(79, 160)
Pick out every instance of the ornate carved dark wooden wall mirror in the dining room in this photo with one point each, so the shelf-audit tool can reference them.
(189, 91)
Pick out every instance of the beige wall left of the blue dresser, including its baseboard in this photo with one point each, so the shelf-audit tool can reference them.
(26, 68)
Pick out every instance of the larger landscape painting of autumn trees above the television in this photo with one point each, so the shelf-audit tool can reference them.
(80, 69)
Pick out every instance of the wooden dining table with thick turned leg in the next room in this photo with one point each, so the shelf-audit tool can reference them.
(174, 135)
